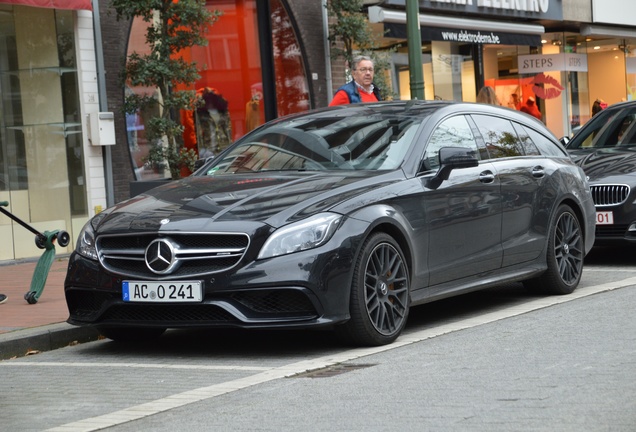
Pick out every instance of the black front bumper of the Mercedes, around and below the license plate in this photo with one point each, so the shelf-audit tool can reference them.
(300, 290)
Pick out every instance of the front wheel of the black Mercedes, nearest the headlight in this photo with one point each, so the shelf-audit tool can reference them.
(380, 294)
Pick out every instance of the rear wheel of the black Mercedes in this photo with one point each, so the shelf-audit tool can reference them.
(565, 254)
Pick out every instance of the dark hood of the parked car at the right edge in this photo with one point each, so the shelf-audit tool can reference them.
(612, 165)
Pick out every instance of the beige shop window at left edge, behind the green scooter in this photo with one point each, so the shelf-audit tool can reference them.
(41, 152)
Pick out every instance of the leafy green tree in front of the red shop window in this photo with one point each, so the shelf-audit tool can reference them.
(172, 28)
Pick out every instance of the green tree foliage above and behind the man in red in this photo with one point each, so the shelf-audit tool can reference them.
(351, 30)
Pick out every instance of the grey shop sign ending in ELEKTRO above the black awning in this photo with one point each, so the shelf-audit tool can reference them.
(526, 9)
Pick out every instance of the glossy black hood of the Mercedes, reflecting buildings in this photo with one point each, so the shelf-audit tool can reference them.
(271, 198)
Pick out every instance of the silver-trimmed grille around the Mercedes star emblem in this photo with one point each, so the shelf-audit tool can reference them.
(196, 254)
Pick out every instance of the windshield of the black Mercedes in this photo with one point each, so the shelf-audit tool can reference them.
(375, 142)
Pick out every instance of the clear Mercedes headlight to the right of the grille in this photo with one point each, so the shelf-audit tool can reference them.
(306, 234)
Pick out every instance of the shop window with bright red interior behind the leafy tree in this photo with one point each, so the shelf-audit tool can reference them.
(231, 80)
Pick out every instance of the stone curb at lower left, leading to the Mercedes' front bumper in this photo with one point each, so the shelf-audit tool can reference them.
(21, 343)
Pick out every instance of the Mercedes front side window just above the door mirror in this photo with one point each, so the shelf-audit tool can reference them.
(452, 132)
